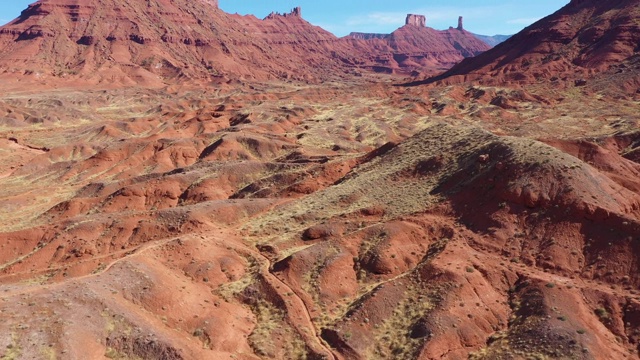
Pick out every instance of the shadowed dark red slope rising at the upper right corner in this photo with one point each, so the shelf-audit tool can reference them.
(583, 38)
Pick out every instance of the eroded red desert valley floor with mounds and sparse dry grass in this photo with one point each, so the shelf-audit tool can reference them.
(348, 219)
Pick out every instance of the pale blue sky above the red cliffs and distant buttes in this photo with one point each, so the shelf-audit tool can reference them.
(487, 17)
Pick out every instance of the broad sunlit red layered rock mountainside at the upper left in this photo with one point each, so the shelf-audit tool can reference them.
(152, 42)
